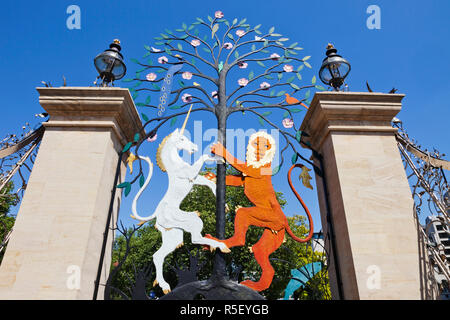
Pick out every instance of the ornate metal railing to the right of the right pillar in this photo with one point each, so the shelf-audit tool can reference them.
(430, 192)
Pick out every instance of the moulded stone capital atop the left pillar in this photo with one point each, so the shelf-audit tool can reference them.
(92, 107)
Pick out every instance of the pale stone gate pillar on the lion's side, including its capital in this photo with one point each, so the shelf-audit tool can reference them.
(371, 206)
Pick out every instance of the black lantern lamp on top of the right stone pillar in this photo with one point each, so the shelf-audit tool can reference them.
(334, 69)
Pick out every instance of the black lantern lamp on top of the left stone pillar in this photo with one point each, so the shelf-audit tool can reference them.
(110, 65)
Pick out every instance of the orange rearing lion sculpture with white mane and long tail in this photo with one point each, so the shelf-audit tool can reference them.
(256, 178)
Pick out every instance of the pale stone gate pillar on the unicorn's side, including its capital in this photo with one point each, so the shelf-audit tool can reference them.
(59, 229)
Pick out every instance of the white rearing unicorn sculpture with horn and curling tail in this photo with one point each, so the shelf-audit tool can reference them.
(170, 219)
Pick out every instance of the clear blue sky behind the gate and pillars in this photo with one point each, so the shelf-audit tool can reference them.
(409, 52)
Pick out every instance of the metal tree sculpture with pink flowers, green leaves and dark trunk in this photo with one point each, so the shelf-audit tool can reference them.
(262, 68)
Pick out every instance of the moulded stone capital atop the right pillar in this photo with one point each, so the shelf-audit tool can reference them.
(349, 112)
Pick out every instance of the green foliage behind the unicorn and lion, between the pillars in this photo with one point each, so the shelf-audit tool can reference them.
(147, 240)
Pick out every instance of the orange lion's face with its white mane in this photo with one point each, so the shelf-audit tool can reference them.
(261, 149)
